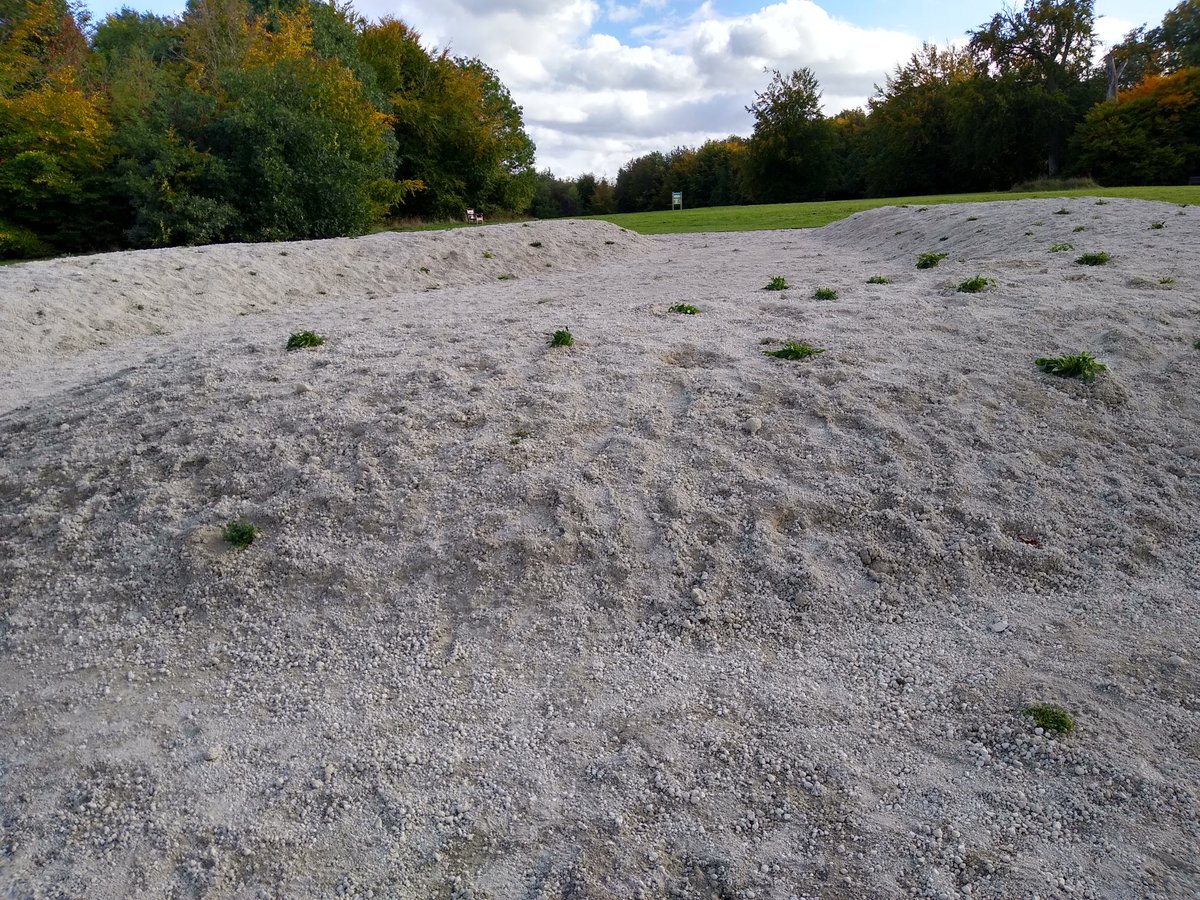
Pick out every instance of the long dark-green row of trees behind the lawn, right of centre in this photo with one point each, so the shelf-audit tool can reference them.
(1021, 101)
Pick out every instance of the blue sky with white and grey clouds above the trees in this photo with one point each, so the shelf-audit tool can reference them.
(603, 82)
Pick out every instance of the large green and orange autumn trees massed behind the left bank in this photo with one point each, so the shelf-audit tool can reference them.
(241, 121)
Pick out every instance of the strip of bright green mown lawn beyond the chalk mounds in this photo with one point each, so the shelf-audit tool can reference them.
(814, 215)
